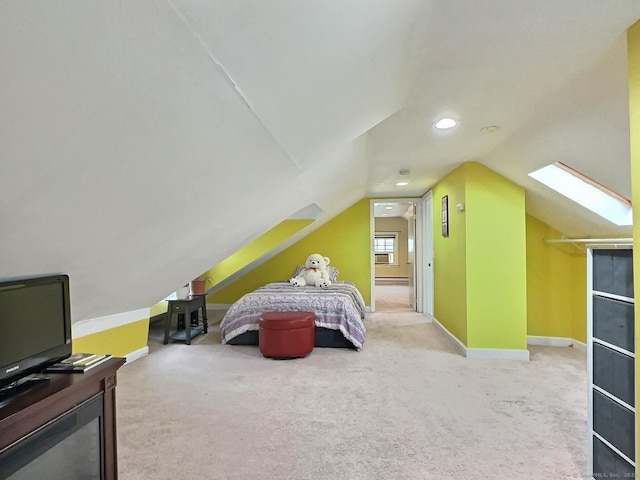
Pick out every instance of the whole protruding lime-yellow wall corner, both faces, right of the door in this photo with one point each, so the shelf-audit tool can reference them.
(480, 282)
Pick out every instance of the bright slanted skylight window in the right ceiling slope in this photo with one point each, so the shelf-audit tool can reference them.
(586, 192)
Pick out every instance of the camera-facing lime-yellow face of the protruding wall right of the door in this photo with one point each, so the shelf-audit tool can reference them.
(496, 260)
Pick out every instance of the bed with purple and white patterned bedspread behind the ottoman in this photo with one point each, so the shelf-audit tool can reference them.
(339, 311)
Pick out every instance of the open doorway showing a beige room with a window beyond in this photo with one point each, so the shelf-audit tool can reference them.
(393, 255)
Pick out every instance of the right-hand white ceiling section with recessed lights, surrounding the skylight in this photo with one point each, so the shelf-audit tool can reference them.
(551, 75)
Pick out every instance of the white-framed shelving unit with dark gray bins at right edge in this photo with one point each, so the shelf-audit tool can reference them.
(611, 362)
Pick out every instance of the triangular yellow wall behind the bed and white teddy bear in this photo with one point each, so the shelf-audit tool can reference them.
(344, 239)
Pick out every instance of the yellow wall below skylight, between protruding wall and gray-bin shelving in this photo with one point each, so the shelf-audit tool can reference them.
(556, 284)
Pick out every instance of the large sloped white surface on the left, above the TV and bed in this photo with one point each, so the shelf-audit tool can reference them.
(140, 148)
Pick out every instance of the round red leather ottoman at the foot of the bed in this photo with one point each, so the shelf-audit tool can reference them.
(286, 334)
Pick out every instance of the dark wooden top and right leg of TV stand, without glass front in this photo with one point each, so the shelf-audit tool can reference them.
(29, 411)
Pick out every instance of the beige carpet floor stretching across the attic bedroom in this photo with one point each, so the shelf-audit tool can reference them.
(407, 406)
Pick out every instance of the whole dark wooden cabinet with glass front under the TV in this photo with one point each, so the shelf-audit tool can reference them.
(64, 428)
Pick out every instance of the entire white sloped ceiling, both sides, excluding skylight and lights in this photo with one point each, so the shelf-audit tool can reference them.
(144, 141)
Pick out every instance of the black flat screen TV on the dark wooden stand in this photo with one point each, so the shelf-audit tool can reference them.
(35, 325)
